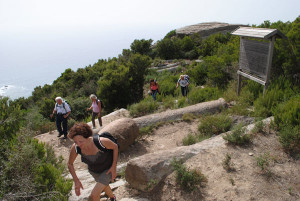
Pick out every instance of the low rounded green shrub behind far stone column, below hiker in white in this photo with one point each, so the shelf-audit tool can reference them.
(199, 95)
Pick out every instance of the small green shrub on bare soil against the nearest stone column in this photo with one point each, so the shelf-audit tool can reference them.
(188, 180)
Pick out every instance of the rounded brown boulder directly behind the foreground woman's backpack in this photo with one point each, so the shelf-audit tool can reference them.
(125, 130)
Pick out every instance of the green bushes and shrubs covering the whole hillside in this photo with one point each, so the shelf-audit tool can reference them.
(121, 81)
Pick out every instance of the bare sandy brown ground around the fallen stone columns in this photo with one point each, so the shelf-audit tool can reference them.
(246, 180)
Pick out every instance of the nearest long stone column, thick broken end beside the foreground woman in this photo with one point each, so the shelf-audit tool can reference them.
(145, 172)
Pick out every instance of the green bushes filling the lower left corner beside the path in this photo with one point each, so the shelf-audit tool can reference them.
(42, 178)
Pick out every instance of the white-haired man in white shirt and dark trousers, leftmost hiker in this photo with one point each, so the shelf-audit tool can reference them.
(62, 110)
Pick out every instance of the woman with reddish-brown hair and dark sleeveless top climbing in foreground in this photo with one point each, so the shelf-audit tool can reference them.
(102, 165)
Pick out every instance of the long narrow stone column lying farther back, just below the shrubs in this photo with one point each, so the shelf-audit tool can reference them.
(200, 108)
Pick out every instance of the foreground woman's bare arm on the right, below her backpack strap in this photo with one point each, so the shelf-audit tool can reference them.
(111, 145)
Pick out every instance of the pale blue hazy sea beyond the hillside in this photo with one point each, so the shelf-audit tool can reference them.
(29, 59)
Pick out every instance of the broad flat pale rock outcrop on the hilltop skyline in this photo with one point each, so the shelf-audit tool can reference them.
(206, 29)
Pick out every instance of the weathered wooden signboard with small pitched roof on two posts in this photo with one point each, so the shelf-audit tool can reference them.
(256, 51)
